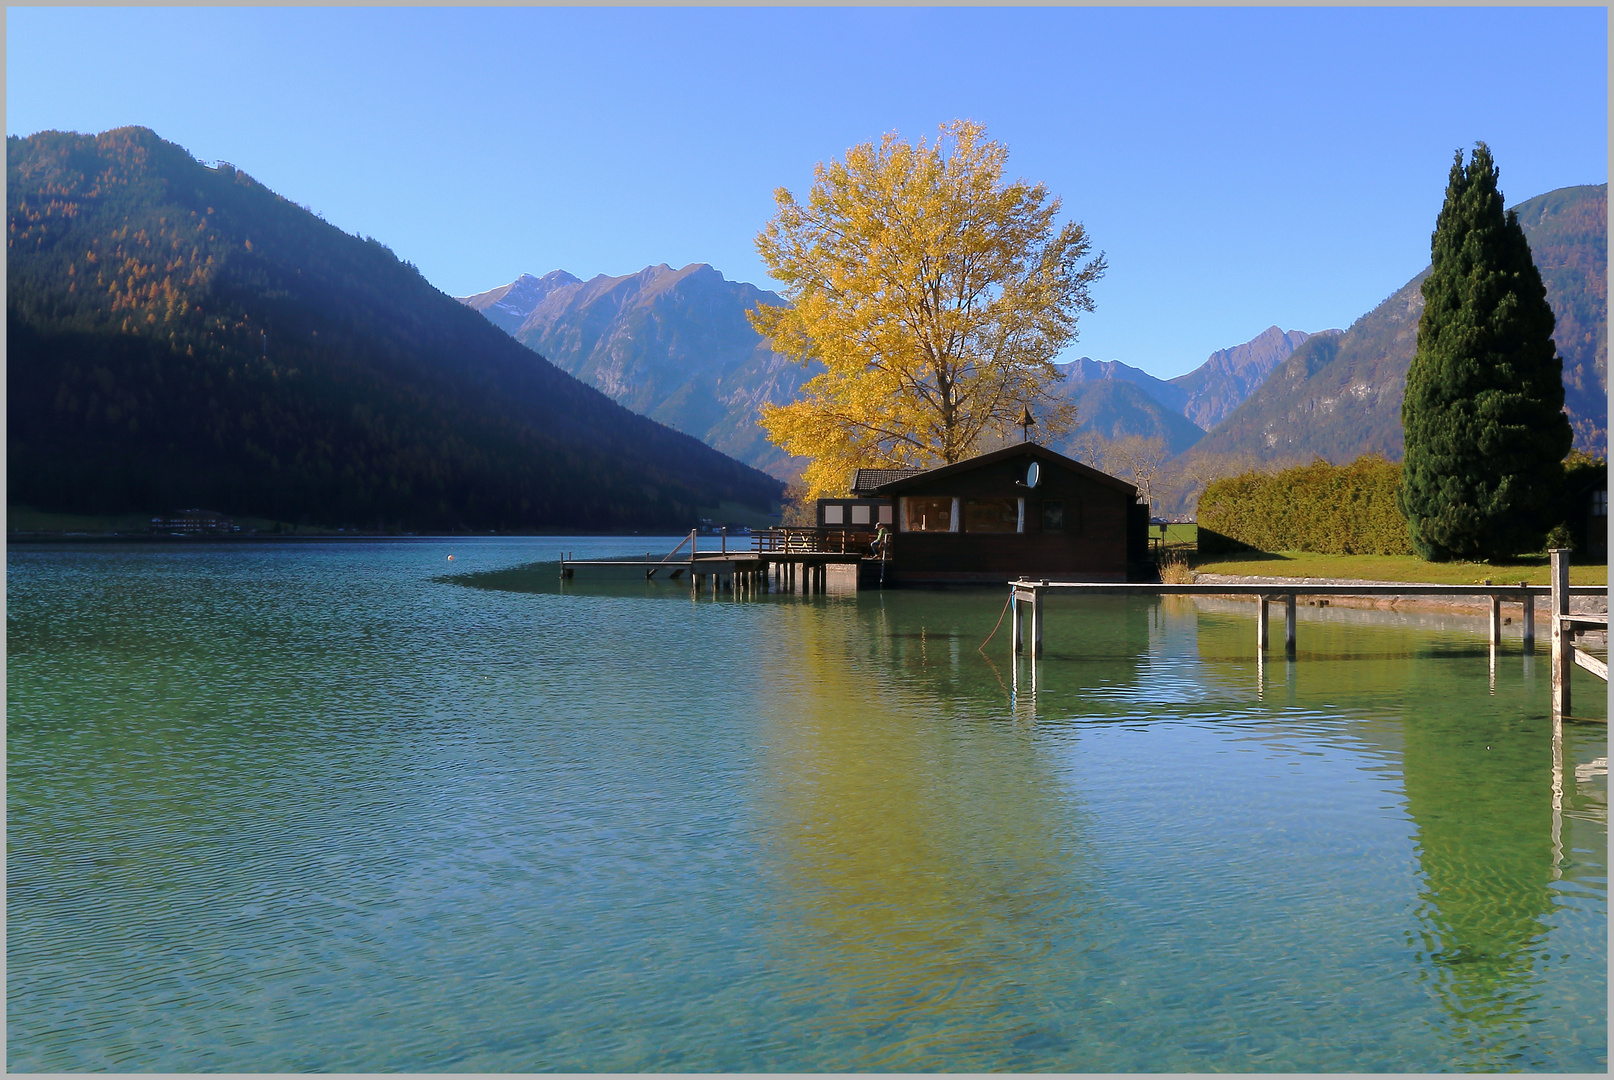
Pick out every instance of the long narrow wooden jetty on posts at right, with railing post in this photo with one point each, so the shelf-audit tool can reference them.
(1027, 598)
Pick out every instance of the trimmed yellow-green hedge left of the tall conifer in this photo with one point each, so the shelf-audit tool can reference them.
(1319, 508)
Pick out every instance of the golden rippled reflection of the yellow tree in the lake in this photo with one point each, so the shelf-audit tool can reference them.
(927, 858)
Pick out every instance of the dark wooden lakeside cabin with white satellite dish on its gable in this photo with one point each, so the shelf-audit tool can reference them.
(1019, 511)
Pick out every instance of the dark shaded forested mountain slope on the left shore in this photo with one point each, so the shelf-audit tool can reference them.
(180, 335)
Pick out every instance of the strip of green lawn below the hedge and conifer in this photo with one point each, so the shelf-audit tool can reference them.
(1297, 564)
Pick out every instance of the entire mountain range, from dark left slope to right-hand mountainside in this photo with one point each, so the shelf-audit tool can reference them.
(178, 335)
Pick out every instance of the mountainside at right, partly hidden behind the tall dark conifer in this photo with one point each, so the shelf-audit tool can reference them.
(1340, 398)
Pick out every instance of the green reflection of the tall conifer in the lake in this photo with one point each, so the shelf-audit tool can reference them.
(1481, 792)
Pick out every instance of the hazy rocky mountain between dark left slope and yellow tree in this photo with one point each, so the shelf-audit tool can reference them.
(671, 345)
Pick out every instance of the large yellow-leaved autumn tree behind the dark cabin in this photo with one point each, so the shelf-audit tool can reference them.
(934, 293)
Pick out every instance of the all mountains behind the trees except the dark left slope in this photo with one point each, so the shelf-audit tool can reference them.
(675, 346)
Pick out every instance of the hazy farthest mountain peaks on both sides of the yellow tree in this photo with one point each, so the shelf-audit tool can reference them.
(675, 346)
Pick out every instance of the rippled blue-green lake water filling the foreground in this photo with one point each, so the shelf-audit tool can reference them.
(317, 808)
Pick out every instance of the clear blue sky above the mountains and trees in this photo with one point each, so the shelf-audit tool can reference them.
(1239, 167)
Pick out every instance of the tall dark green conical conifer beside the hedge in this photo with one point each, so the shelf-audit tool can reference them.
(1484, 411)
